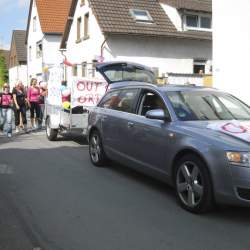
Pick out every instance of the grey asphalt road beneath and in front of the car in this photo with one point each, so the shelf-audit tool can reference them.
(51, 197)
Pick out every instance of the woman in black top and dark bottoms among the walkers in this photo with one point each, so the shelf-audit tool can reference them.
(20, 103)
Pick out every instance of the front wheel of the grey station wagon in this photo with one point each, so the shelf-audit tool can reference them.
(193, 185)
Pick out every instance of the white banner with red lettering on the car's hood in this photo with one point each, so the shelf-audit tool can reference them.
(234, 128)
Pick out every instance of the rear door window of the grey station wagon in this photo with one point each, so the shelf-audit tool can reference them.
(127, 99)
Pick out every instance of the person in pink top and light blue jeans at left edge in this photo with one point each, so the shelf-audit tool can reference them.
(6, 110)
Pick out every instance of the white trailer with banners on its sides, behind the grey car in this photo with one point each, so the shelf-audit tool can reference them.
(85, 93)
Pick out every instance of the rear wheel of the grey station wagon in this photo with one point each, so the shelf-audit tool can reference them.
(96, 151)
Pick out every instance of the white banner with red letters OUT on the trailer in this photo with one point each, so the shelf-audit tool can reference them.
(87, 92)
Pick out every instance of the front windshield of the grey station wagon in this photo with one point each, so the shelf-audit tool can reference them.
(201, 105)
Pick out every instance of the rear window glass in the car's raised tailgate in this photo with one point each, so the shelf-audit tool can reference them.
(118, 73)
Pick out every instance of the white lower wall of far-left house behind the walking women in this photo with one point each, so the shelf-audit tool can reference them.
(18, 73)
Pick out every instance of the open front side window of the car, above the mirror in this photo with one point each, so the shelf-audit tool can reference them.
(150, 101)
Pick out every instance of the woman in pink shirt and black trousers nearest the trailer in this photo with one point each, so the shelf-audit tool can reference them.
(33, 97)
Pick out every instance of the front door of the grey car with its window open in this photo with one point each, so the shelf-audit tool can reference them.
(152, 137)
